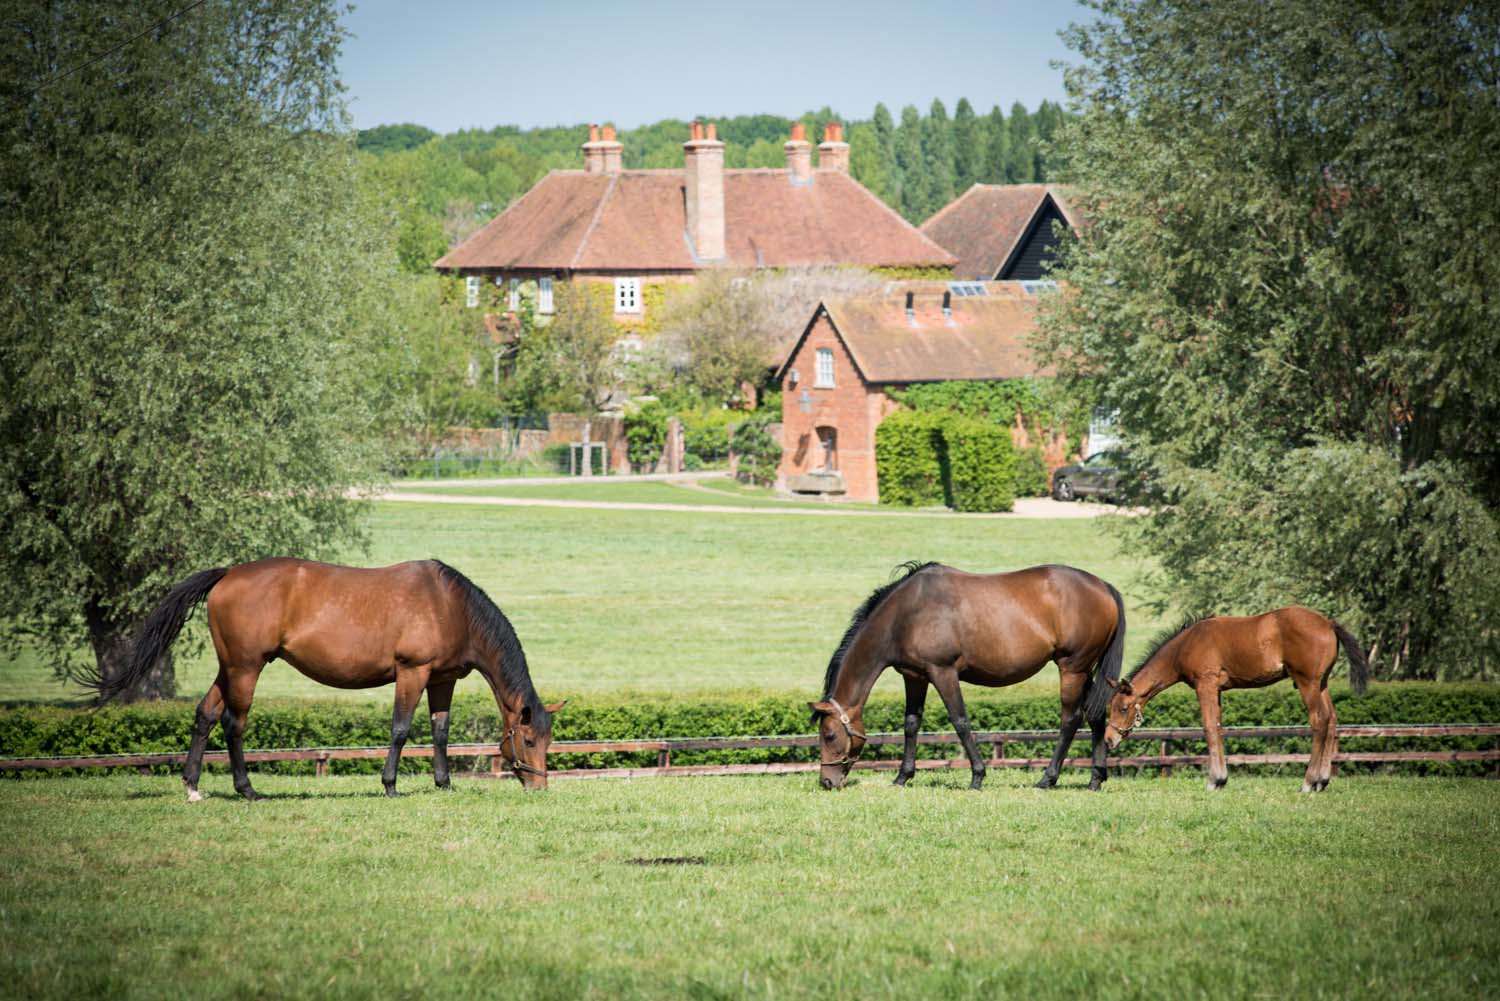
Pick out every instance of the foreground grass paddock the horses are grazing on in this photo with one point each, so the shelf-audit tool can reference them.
(1384, 888)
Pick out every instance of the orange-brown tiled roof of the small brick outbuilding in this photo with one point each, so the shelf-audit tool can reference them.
(985, 338)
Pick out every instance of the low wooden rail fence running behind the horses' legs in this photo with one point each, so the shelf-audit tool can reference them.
(1000, 742)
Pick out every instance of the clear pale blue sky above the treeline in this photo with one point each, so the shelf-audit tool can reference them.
(460, 64)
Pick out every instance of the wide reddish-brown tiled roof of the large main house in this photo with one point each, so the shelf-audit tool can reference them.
(638, 221)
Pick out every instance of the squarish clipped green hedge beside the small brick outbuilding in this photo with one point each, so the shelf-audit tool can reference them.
(928, 458)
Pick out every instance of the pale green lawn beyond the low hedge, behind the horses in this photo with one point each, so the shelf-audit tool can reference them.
(679, 601)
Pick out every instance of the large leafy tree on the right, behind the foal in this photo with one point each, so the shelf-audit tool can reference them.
(1288, 290)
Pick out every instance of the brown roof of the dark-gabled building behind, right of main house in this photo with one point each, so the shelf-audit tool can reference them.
(986, 226)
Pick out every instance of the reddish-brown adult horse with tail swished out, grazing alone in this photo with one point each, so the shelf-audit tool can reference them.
(421, 625)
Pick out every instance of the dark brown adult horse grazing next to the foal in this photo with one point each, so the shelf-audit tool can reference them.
(943, 627)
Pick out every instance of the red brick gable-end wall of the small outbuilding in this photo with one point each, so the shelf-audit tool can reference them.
(851, 407)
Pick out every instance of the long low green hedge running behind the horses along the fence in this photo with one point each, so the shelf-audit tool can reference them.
(166, 727)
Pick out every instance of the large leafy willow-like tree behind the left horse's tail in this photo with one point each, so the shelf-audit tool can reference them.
(187, 308)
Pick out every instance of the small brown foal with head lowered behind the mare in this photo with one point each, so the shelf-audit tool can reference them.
(1247, 652)
